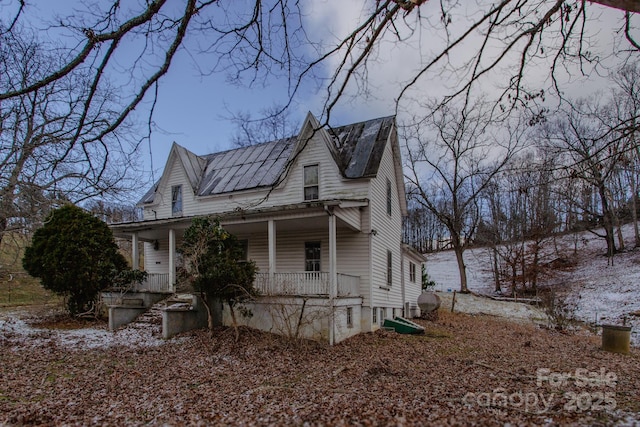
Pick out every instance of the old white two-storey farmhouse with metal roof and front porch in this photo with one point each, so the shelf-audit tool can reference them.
(320, 214)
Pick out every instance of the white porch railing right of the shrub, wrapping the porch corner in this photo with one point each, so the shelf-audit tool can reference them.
(306, 283)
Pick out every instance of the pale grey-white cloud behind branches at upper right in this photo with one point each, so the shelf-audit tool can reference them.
(394, 63)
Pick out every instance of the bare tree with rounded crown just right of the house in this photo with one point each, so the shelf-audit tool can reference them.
(452, 156)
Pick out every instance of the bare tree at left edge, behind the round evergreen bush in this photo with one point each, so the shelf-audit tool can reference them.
(39, 164)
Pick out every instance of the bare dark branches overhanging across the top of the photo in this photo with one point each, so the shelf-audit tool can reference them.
(252, 41)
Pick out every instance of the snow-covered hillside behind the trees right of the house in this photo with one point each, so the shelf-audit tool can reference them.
(600, 293)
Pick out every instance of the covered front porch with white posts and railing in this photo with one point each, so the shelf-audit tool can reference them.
(274, 239)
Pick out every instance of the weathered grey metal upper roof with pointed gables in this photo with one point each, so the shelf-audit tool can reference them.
(357, 149)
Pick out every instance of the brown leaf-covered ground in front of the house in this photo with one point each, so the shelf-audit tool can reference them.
(465, 370)
